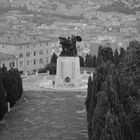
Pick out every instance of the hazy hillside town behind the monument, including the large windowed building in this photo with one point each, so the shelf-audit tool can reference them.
(29, 33)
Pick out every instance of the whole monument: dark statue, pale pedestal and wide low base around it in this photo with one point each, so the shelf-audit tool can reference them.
(68, 77)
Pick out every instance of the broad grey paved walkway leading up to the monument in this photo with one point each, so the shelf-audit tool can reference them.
(43, 115)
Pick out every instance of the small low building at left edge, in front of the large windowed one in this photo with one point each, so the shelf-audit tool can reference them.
(8, 60)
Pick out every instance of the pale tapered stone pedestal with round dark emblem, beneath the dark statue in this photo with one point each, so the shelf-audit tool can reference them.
(68, 72)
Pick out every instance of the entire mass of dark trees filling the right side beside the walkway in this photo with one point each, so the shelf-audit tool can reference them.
(113, 108)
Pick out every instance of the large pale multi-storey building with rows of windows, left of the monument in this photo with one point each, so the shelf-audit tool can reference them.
(31, 55)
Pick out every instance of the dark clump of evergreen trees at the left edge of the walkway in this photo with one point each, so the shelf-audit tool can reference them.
(10, 89)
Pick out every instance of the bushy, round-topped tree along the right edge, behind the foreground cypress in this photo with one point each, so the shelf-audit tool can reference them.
(129, 70)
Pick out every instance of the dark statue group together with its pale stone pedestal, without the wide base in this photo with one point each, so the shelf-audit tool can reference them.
(68, 65)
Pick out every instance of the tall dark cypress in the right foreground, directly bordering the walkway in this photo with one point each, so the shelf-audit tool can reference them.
(106, 116)
